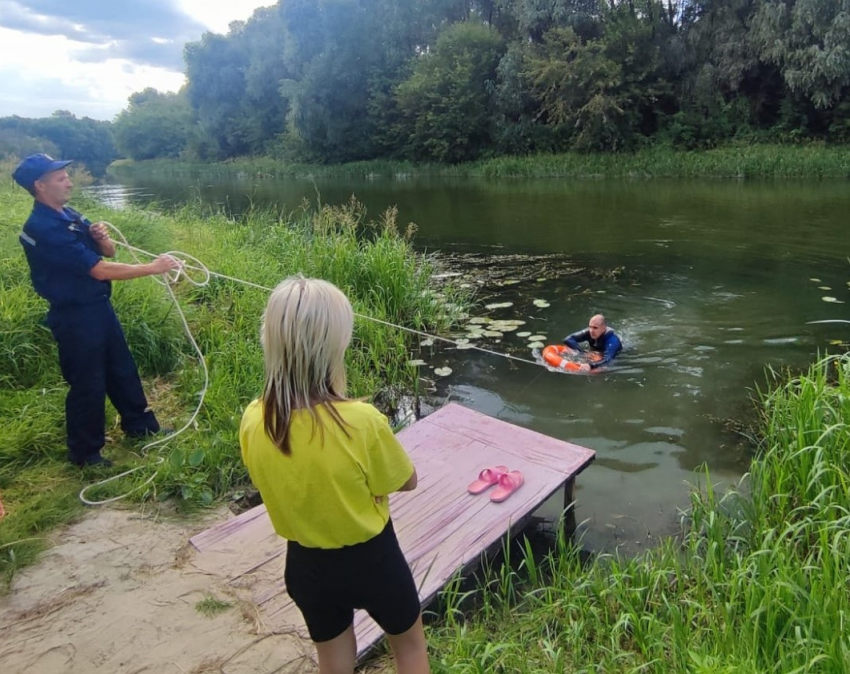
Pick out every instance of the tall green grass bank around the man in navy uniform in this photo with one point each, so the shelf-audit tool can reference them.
(371, 261)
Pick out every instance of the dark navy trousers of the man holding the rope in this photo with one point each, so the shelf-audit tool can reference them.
(97, 363)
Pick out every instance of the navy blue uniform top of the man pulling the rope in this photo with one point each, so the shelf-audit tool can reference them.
(61, 252)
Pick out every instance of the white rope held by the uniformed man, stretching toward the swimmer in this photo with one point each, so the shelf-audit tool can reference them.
(171, 278)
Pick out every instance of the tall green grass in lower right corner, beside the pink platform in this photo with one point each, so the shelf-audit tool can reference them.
(760, 582)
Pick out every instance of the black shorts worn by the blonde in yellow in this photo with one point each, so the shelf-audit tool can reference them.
(327, 585)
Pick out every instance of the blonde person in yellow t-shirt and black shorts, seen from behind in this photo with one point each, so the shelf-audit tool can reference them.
(324, 466)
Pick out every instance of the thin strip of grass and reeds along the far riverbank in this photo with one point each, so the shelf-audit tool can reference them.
(746, 161)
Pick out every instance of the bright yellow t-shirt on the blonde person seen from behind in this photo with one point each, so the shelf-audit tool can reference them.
(323, 494)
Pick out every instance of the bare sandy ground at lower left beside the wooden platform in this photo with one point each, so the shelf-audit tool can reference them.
(118, 593)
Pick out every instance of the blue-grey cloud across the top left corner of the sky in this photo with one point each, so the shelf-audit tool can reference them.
(147, 32)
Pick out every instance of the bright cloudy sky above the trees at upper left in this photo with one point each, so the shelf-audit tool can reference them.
(88, 56)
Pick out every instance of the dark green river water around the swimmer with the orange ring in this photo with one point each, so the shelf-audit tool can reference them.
(707, 282)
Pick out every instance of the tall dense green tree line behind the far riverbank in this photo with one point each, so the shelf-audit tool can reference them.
(332, 81)
